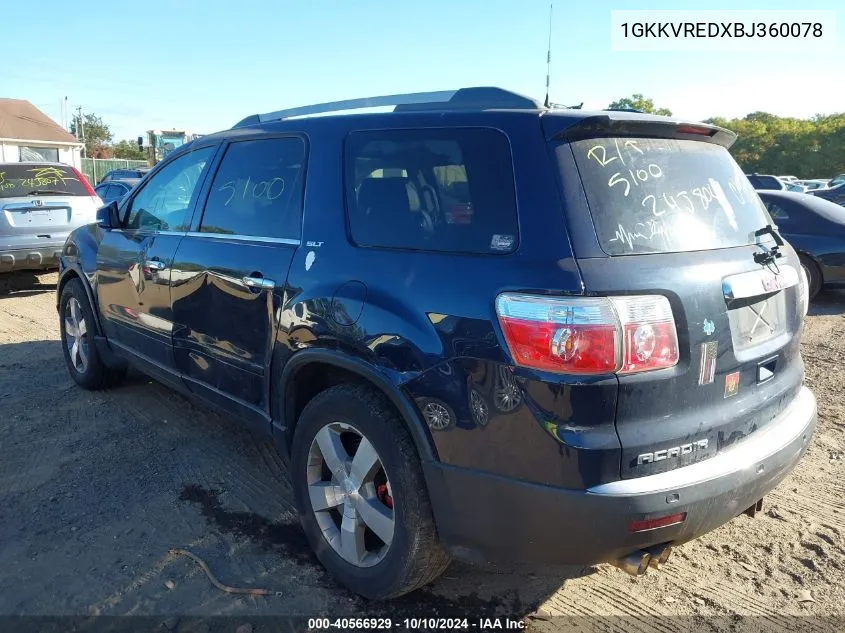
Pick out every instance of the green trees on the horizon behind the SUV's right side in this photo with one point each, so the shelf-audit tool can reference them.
(770, 144)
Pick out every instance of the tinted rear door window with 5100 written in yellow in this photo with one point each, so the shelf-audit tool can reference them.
(257, 190)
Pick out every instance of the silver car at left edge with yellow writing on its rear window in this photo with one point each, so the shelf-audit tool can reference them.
(40, 203)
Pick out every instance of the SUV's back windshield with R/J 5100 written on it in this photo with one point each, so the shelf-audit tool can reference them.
(665, 196)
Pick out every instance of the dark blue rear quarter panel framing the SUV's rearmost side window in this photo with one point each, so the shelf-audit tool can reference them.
(426, 321)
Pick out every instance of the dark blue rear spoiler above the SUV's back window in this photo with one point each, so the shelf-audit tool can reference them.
(561, 127)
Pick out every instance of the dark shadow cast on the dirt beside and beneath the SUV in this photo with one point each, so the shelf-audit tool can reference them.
(111, 481)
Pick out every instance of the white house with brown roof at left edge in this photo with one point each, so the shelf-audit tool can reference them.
(26, 133)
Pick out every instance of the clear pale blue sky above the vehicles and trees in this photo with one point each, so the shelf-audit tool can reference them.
(204, 65)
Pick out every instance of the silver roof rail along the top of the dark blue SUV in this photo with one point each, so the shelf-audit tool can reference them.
(479, 98)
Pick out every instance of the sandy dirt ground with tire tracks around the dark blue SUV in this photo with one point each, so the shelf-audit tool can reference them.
(196, 446)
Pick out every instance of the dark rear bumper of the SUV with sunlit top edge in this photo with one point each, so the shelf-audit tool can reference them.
(483, 517)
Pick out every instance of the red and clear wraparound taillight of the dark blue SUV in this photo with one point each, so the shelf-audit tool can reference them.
(589, 335)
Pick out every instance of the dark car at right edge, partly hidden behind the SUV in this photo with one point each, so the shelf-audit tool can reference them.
(815, 228)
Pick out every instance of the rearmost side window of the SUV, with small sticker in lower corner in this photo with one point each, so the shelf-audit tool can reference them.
(447, 190)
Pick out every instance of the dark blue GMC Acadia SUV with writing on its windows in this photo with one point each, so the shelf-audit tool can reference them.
(474, 327)
